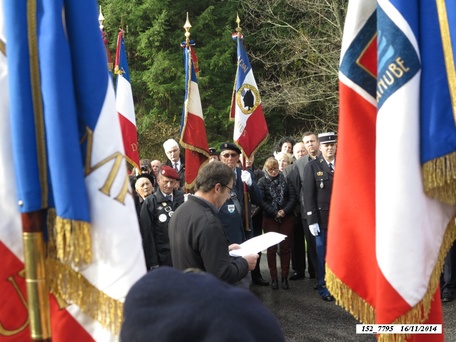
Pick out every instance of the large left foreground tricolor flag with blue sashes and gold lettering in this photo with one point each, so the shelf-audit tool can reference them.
(62, 154)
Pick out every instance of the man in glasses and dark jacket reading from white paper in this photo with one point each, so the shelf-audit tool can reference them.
(197, 236)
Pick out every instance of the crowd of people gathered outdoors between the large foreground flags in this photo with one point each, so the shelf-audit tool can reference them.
(233, 202)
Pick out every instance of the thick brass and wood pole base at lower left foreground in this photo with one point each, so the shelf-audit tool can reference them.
(37, 290)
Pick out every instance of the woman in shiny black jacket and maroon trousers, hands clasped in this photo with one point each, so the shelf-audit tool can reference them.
(279, 199)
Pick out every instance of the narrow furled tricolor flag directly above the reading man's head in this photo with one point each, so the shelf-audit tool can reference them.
(193, 131)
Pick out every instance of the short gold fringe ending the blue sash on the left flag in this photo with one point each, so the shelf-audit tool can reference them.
(70, 241)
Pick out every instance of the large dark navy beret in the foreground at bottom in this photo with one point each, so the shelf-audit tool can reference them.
(169, 305)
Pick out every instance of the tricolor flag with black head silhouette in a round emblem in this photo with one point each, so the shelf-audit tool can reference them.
(250, 128)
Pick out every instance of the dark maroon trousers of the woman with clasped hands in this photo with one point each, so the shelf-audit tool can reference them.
(283, 227)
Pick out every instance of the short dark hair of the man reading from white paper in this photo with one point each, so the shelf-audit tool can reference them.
(211, 174)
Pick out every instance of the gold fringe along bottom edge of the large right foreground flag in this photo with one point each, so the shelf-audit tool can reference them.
(365, 313)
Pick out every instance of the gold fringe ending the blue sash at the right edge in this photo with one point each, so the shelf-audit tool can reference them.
(439, 178)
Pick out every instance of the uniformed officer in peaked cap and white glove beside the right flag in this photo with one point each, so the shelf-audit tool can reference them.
(318, 180)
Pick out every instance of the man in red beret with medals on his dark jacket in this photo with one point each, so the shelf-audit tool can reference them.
(155, 214)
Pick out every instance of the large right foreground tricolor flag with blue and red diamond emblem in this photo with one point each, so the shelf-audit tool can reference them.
(387, 239)
